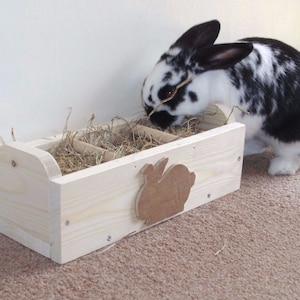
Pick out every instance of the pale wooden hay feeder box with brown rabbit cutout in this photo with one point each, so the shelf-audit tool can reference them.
(66, 216)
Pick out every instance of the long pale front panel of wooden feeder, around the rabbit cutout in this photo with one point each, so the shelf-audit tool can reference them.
(97, 205)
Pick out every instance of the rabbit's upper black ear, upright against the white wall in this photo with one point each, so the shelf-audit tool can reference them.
(199, 36)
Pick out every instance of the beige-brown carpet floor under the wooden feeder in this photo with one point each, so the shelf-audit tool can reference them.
(243, 246)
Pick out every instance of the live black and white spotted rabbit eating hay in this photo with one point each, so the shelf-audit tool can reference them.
(260, 76)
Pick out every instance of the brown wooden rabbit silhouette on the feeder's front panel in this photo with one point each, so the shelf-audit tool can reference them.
(163, 195)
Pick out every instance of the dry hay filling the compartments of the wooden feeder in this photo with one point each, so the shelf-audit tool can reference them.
(118, 140)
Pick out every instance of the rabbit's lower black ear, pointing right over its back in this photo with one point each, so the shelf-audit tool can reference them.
(221, 56)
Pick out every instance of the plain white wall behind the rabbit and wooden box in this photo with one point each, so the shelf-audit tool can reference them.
(92, 55)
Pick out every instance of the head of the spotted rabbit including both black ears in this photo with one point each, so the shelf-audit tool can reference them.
(171, 91)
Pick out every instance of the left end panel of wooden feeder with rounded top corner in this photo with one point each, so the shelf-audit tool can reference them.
(24, 187)
